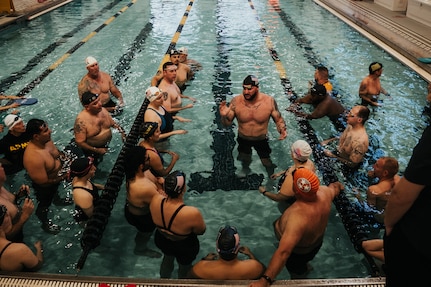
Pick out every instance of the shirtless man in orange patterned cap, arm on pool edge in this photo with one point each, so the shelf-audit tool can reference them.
(301, 227)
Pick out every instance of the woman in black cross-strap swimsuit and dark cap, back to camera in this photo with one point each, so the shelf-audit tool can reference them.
(178, 226)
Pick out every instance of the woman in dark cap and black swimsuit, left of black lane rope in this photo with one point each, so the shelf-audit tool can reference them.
(85, 193)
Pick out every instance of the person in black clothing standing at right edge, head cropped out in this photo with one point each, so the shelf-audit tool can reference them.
(406, 240)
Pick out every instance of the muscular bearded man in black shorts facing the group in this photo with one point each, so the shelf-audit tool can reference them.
(253, 109)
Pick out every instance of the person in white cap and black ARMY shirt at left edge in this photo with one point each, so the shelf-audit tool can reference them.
(13, 144)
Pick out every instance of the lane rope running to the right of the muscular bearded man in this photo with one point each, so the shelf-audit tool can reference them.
(348, 215)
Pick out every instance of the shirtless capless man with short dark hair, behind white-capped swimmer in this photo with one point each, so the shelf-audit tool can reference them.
(173, 103)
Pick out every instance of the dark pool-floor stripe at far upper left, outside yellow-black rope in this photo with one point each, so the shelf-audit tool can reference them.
(7, 82)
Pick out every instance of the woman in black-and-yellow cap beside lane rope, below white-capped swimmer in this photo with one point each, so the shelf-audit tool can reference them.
(150, 132)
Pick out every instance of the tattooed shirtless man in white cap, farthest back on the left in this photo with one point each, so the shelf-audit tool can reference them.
(100, 83)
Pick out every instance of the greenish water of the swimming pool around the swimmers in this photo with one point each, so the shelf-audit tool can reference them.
(226, 38)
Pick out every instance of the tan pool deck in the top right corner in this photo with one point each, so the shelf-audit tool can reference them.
(402, 37)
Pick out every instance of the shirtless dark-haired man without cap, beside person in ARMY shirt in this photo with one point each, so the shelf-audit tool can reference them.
(43, 165)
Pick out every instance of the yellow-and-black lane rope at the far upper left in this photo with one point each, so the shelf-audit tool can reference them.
(51, 68)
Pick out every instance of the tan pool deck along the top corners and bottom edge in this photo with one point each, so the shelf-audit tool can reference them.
(404, 38)
